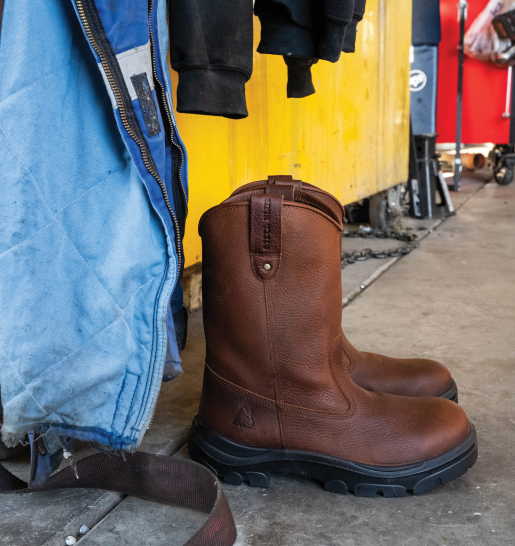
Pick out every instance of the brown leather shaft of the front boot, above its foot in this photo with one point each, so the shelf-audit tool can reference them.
(266, 328)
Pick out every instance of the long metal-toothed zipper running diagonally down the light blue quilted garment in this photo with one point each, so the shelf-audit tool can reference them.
(83, 7)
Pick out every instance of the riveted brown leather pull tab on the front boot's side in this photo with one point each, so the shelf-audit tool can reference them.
(265, 234)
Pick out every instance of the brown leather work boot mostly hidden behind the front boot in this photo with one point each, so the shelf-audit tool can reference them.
(377, 373)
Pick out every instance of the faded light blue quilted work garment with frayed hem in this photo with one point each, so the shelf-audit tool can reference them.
(88, 261)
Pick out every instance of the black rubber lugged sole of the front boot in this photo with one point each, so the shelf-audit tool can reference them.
(235, 464)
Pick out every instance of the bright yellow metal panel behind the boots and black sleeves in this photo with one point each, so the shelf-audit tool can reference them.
(350, 138)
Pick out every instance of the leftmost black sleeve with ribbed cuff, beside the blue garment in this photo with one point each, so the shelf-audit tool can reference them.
(211, 48)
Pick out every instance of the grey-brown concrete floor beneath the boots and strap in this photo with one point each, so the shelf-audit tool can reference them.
(452, 299)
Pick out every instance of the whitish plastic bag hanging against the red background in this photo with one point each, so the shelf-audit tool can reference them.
(481, 40)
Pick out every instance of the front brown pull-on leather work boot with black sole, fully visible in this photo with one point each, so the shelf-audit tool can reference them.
(277, 396)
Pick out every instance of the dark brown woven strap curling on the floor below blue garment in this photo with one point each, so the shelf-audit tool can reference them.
(159, 478)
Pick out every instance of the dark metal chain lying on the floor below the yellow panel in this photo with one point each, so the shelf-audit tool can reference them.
(410, 239)
